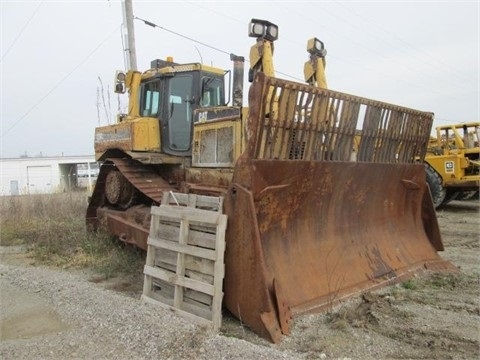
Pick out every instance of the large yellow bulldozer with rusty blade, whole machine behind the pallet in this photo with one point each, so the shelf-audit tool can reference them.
(308, 224)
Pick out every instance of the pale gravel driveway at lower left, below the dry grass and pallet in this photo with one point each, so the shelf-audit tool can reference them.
(79, 319)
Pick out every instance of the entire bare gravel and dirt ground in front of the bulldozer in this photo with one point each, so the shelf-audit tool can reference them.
(58, 314)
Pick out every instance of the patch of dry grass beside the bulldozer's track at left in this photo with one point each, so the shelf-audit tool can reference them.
(52, 226)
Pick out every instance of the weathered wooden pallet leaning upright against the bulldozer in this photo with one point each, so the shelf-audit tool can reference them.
(184, 269)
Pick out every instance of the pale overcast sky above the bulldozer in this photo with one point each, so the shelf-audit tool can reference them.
(58, 58)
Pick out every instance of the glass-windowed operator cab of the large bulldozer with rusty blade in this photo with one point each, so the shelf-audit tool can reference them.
(172, 93)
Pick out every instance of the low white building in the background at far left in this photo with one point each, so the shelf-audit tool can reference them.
(32, 175)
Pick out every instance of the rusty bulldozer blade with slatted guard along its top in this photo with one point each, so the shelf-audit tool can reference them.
(312, 223)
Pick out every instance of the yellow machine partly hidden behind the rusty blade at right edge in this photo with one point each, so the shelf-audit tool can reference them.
(452, 163)
